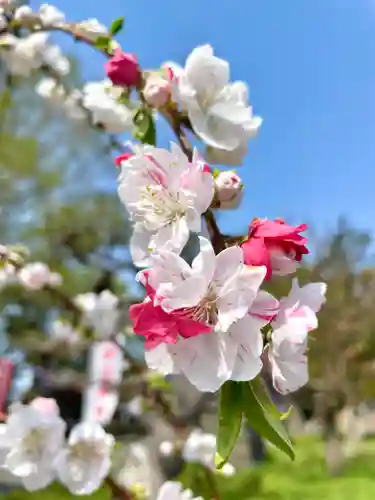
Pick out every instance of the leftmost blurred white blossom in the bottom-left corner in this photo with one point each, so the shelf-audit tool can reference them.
(35, 434)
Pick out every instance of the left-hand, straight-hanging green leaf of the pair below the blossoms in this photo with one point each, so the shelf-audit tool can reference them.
(230, 418)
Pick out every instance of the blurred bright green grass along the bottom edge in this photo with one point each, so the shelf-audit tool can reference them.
(280, 479)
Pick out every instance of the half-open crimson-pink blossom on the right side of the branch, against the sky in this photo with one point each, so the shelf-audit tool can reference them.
(275, 245)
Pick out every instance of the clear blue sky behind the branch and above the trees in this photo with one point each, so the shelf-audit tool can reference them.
(310, 65)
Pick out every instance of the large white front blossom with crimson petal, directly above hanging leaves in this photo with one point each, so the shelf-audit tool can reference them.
(216, 293)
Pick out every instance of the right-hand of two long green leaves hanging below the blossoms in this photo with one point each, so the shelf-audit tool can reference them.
(261, 416)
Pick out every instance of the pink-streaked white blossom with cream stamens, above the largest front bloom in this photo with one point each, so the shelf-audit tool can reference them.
(165, 195)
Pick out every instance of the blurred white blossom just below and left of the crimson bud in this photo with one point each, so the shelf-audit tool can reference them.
(98, 98)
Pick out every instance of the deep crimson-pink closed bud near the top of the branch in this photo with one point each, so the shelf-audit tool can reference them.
(122, 69)
